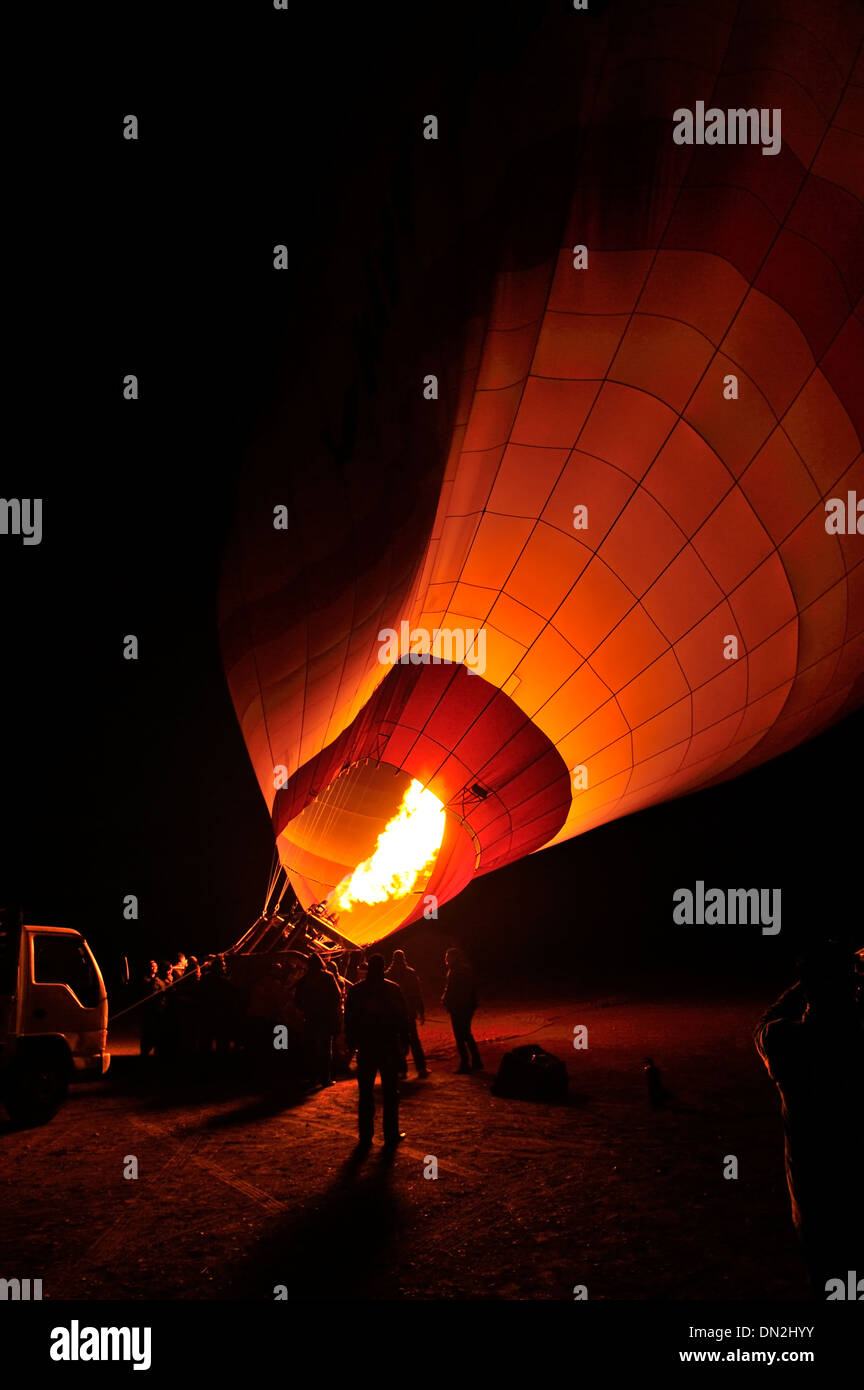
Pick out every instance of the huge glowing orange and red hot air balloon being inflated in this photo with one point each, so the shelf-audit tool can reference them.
(562, 521)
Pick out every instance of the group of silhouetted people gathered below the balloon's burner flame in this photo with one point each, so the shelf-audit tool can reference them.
(306, 1021)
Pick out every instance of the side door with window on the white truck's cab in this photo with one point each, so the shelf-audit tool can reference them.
(66, 995)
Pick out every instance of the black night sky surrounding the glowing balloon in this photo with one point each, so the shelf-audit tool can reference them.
(155, 258)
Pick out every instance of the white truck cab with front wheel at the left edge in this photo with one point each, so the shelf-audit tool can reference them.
(53, 1018)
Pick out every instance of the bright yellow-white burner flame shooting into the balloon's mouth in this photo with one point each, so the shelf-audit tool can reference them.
(406, 850)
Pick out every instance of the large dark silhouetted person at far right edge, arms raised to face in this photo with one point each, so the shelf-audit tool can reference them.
(813, 1046)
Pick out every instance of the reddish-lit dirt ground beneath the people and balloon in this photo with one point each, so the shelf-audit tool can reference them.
(241, 1192)
